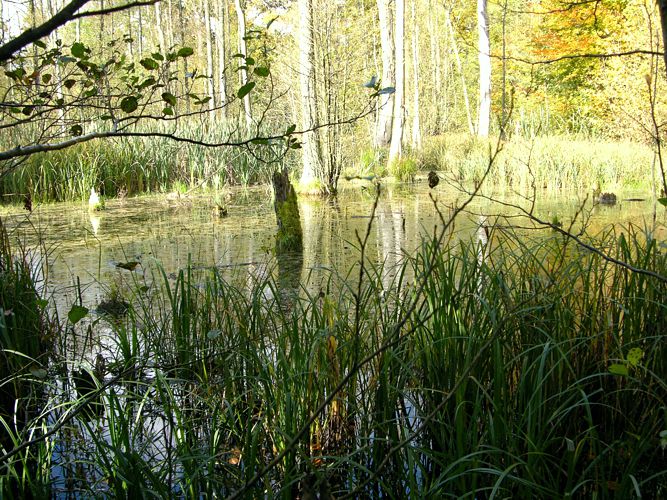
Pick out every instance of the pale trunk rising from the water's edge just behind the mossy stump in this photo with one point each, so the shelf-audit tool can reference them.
(310, 140)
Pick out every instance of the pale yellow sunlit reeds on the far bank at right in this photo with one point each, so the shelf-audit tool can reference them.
(546, 163)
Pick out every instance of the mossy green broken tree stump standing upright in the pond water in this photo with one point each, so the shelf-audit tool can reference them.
(289, 237)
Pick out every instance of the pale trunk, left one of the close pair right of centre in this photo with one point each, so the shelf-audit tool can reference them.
(386, 101)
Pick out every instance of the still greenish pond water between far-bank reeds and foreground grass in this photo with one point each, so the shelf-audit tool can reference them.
(80, 251)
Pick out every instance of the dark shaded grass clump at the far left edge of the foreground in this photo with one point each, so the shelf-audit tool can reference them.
(26, 336)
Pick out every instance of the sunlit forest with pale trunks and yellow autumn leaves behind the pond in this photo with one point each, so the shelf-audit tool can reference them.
(248, 69)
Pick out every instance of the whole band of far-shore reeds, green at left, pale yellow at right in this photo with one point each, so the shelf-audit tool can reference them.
(133, 167)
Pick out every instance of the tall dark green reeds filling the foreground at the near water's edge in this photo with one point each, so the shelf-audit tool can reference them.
(526, 368)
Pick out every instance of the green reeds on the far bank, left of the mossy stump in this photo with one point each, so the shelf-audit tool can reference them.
(122, 167)
